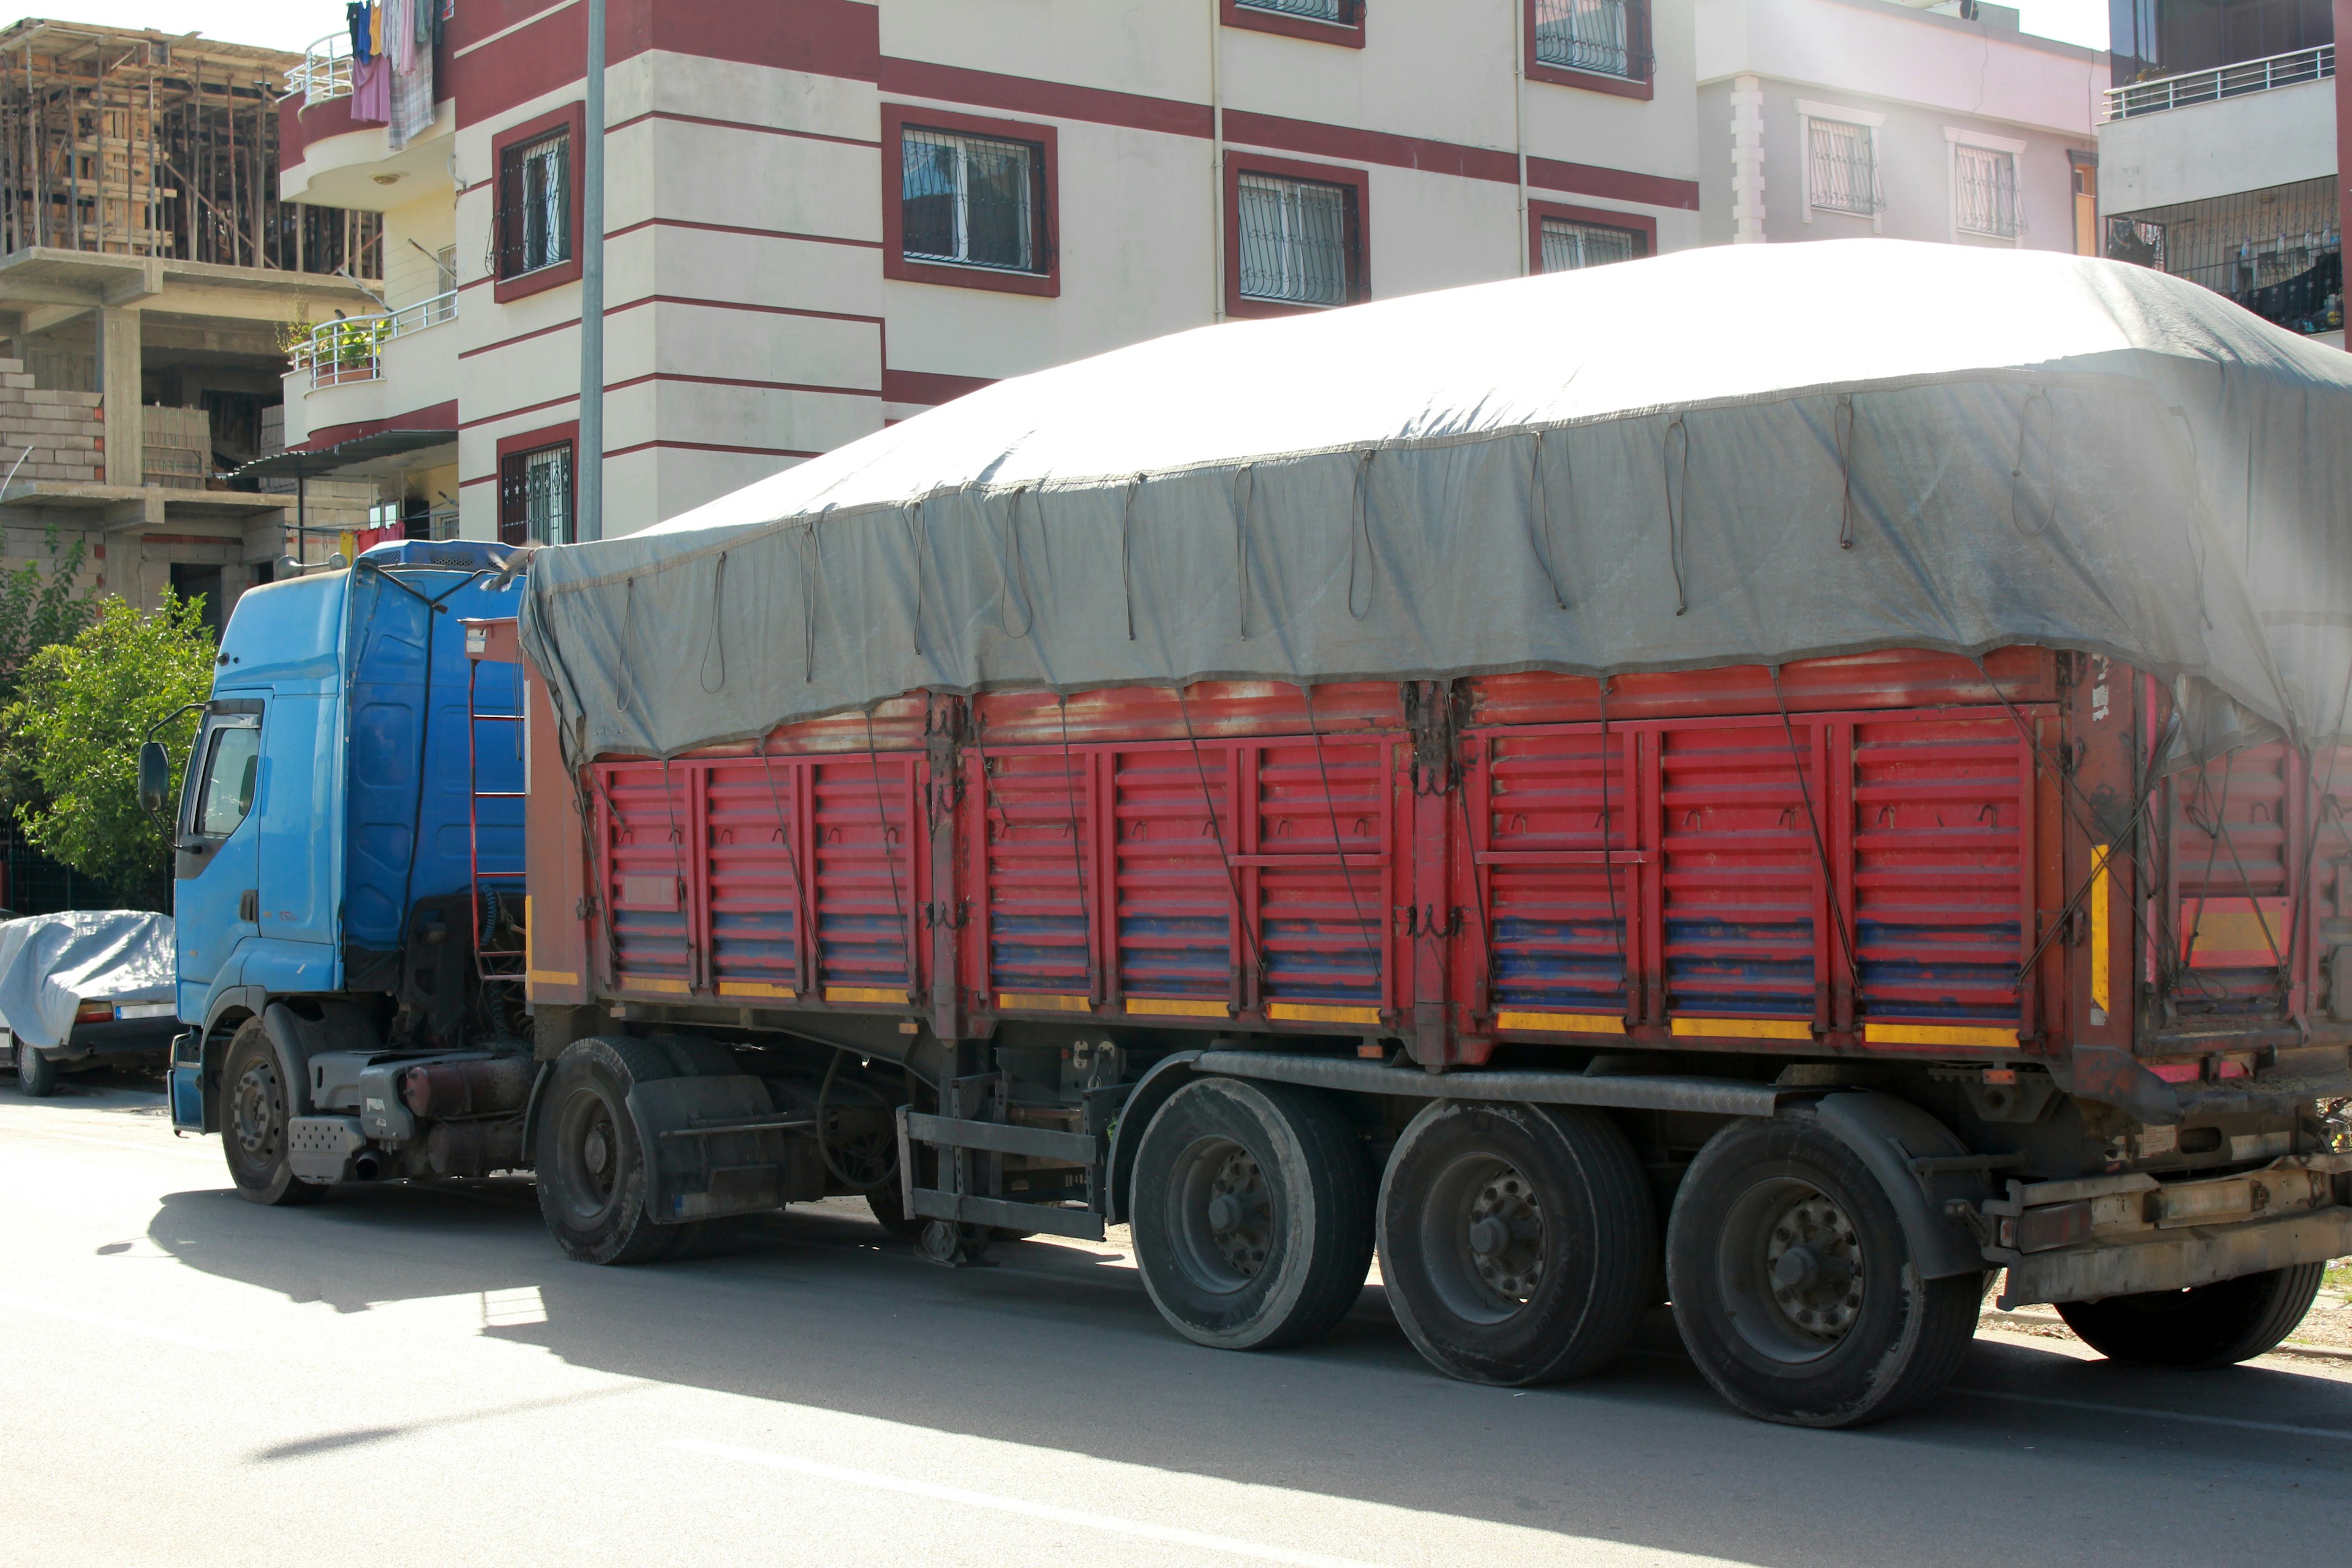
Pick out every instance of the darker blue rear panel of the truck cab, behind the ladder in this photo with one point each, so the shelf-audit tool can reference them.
(410, 779)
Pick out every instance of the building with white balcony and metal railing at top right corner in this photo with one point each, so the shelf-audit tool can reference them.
(2221, 152)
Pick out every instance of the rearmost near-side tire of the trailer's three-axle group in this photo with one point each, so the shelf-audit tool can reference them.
(1796, 1289)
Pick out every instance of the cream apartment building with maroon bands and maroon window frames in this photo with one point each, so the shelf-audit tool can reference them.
(827, 215)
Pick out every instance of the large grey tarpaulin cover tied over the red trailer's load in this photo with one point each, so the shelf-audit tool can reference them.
(1739, 455)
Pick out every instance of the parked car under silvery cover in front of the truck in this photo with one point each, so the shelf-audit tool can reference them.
(86, 989)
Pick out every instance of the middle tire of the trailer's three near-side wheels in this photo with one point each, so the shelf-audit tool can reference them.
(1563, 1209)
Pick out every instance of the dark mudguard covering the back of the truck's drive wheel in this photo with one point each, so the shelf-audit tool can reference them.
(716, 1146)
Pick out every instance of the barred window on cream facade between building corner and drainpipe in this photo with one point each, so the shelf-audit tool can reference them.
(973, 201)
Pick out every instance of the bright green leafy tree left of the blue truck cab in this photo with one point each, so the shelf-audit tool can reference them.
(76, 725)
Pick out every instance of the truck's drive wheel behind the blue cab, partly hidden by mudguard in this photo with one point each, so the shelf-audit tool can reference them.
(592, 1172)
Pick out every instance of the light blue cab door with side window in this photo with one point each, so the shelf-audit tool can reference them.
(215, 864)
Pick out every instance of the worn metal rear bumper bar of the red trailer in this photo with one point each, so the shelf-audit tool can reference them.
(2179, 1259)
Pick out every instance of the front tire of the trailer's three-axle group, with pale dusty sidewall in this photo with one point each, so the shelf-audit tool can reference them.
(1252, 1214)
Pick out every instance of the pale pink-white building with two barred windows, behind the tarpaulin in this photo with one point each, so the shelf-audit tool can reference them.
(1845, 119)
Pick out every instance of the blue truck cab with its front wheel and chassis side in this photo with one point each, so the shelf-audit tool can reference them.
(354, 782)
